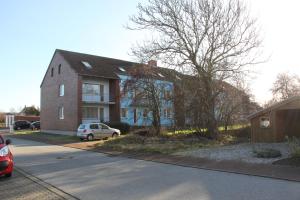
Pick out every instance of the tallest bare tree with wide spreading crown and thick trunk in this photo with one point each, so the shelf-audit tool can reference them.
(212, 40)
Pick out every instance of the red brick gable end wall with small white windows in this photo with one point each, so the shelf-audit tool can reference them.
(51, 101)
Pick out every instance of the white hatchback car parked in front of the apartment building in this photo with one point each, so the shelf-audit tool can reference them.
(92, 131)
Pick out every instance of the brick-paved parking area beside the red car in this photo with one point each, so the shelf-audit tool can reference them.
(25, 187)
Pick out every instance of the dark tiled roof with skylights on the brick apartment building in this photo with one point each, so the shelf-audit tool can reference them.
(109, 67)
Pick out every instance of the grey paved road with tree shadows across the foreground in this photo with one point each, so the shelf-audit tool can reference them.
(89, 175)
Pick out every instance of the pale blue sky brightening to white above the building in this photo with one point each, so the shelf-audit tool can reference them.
(31, 30)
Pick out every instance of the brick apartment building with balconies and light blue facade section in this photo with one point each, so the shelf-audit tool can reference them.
(79, 88)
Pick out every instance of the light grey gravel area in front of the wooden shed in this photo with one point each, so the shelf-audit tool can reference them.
(239, 152)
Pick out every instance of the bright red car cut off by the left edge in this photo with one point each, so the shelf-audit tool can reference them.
(6, 158)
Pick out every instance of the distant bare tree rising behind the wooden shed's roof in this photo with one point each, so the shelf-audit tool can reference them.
(286, 86)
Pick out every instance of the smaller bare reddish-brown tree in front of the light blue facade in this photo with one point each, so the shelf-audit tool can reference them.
(148, 93)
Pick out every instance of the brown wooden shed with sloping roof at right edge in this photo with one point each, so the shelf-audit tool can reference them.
(274, 123)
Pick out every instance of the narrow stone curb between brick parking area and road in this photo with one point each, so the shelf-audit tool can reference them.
(48, 186)
